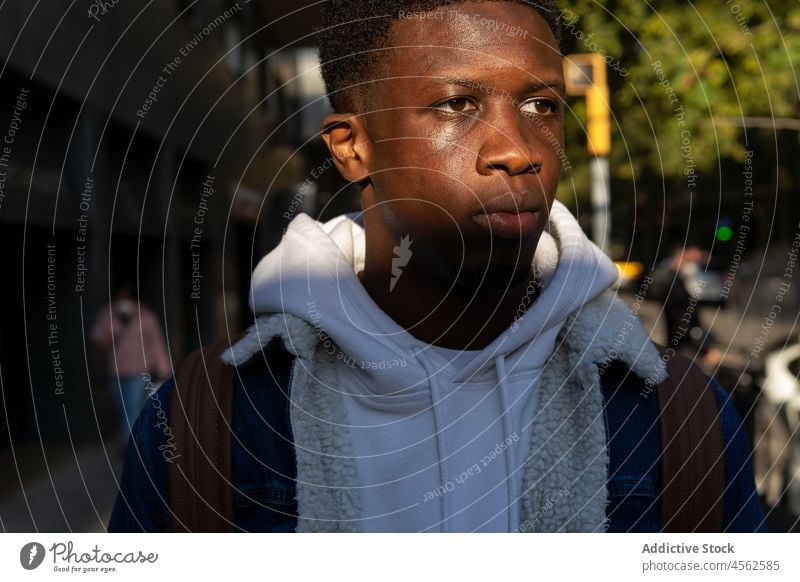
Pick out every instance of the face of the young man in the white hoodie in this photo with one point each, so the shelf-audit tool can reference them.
(467, 138)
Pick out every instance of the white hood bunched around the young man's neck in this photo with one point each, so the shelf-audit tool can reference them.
(312, 275)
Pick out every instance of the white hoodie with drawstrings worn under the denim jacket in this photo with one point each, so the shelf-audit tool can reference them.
(439, 437)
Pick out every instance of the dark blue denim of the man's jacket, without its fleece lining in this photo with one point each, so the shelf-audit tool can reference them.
(264, 468)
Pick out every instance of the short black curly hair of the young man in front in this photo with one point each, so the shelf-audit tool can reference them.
(351, 32)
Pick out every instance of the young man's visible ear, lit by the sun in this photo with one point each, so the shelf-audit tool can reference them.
(346, 138)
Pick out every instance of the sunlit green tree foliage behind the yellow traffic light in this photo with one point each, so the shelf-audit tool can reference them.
(685, 76)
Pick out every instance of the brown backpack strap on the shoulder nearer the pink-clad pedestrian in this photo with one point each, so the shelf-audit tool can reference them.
(200, 476)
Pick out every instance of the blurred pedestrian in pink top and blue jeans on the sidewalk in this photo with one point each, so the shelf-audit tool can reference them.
(130, 335)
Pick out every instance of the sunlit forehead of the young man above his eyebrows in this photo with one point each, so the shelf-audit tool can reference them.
(494, 35)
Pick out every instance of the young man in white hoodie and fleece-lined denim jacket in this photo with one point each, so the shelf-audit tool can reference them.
(440, 361)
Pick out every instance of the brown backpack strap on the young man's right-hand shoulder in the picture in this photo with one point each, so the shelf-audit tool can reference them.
(693, 460)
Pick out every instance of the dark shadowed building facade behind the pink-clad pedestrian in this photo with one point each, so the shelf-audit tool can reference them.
(141, 143)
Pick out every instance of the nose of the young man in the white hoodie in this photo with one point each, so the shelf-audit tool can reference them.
(506, 148)
